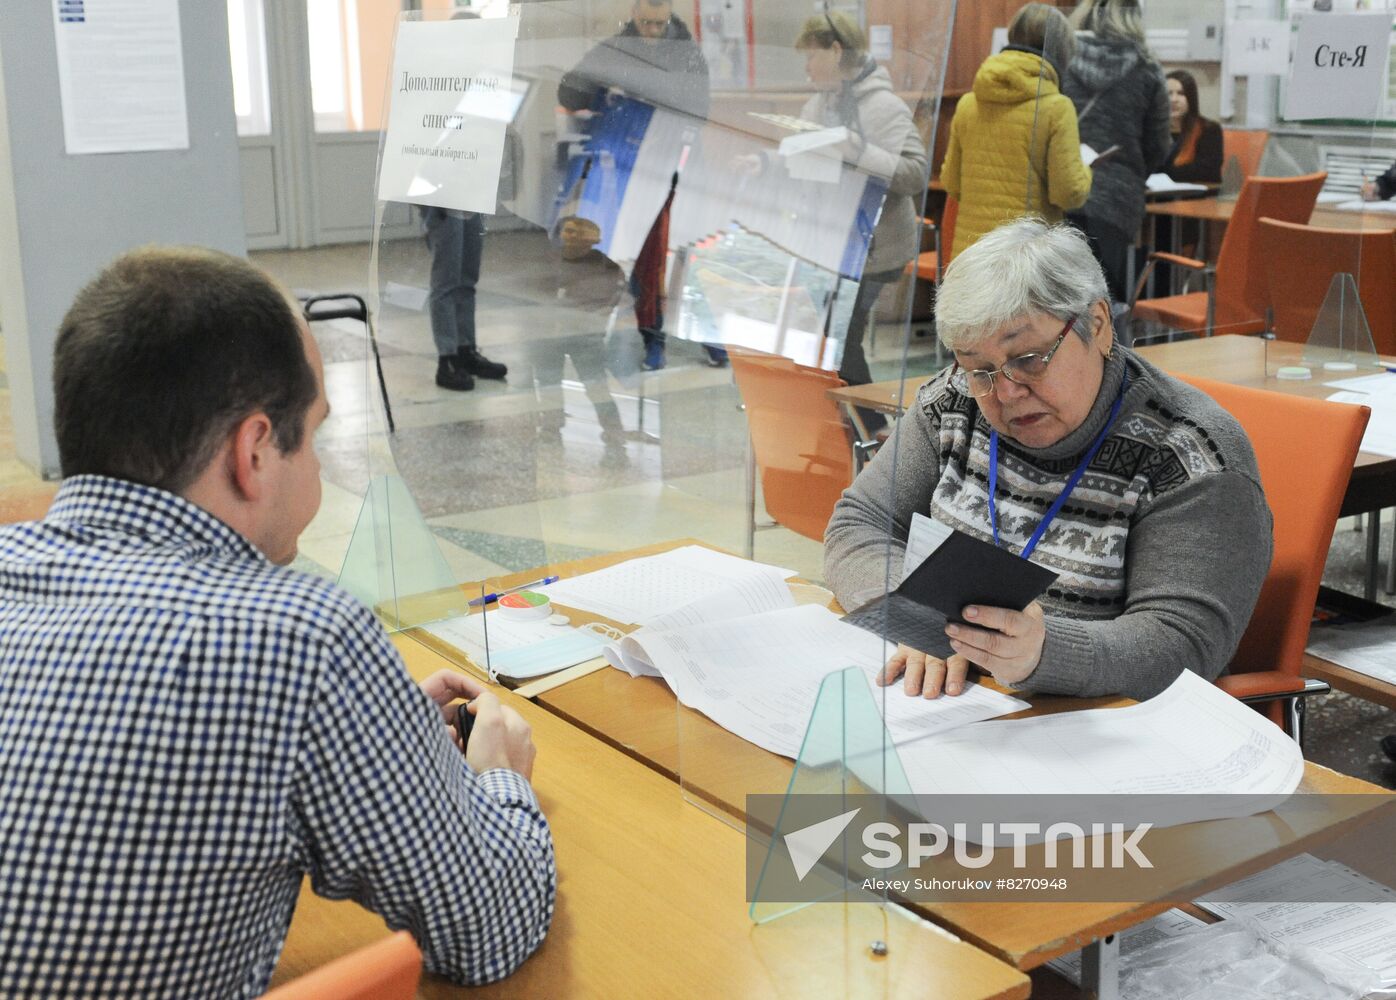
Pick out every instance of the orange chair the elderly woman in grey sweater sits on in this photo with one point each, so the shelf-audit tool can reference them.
(1305, 498)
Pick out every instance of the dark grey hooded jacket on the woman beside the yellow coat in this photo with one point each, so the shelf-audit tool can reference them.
(1122, 100)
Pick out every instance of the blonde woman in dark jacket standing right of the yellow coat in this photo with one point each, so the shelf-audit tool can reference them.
(1122, 101)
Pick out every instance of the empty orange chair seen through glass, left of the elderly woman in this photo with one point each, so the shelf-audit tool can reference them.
(799, 438)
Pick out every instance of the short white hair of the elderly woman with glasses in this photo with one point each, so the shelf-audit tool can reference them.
(1023, 269)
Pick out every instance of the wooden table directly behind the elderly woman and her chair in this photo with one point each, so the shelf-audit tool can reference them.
(1229, 358)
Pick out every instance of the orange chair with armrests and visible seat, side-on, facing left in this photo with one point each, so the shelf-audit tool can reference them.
(1236, 295)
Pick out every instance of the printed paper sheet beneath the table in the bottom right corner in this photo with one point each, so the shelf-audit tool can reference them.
(1359, 924)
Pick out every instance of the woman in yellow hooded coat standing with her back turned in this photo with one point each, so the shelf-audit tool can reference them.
(1014, 146)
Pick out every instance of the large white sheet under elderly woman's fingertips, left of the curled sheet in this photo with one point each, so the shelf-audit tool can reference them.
(759, 677)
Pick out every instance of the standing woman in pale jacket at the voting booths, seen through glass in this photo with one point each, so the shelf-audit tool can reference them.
(856, 93)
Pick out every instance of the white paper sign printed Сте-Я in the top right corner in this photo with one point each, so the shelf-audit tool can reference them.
(1339, 66)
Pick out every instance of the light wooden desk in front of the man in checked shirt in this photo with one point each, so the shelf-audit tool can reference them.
(651, 903)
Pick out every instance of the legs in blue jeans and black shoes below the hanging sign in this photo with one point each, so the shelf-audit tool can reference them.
(457, 244)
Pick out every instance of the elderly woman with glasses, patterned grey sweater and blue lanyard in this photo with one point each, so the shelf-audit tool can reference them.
(1055, 442)
